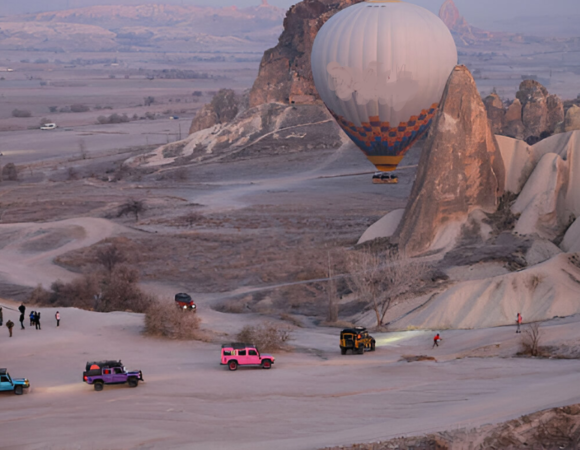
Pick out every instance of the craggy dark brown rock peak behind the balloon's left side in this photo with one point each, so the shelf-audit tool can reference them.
(285, 75)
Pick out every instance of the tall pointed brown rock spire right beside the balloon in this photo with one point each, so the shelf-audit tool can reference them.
(460, 171)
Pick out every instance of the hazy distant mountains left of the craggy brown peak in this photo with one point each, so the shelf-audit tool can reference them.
(154, 26)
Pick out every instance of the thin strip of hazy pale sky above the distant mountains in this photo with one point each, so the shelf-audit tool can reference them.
(478, 12)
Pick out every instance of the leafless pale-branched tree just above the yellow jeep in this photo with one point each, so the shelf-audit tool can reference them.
(380, 278)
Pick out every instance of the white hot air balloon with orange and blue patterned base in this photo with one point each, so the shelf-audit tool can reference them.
(380, 67)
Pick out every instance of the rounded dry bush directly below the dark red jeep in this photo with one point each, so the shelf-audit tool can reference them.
(164, 319)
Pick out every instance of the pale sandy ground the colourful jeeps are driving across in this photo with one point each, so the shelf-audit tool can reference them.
(311, 398)
